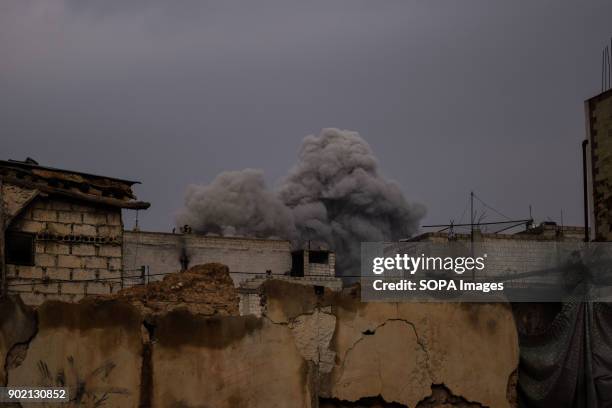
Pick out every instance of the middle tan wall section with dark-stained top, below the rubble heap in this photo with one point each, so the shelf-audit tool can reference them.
(236, 361)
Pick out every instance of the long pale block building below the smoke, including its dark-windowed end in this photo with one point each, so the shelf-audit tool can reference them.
(251, 261)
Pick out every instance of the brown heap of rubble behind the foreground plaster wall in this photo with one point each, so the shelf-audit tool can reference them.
(203, 289)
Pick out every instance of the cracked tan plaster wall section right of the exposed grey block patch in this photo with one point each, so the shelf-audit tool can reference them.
(472, 349)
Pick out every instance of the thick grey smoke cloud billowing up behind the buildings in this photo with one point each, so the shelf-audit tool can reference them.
(333, 195)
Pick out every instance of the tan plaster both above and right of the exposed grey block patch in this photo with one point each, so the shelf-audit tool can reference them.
(399, 350)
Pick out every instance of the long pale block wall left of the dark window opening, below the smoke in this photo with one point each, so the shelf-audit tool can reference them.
(161, 252)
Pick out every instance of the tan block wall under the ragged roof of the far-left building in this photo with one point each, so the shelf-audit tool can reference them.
(78, 251)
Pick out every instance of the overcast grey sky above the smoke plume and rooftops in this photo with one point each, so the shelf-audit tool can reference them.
(451, 95)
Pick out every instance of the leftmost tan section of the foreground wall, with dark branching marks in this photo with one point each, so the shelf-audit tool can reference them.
(94, 349)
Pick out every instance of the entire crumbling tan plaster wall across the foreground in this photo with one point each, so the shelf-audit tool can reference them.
(307, 350)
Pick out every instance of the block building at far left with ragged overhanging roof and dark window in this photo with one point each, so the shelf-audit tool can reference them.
(61, 231)
